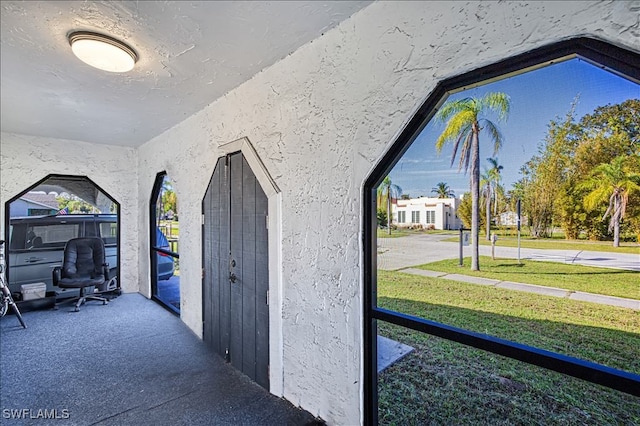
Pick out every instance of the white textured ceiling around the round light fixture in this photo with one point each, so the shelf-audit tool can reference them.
(190, 53)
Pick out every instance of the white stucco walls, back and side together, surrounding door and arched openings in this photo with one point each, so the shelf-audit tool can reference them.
(319, 120)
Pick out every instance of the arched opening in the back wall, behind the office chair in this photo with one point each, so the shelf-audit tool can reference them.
(42, 218)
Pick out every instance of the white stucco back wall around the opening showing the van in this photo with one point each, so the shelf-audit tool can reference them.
(24, 160)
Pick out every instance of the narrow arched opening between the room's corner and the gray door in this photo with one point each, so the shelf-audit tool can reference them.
(165, 238)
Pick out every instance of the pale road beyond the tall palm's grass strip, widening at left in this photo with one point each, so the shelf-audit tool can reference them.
(412, 250)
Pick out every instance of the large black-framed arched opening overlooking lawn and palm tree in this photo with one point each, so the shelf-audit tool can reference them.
(462, 334)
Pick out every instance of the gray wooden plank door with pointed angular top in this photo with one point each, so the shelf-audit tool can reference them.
(236, 268)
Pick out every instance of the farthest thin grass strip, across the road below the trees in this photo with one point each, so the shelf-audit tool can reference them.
(555, 244)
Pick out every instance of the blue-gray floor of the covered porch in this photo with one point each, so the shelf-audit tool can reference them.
(129, 362)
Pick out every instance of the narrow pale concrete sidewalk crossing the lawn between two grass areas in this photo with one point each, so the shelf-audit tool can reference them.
(531, 288)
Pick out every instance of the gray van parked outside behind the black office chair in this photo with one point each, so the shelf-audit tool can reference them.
(36, 246)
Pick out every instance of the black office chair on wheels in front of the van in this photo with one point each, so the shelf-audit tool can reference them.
(83, 267)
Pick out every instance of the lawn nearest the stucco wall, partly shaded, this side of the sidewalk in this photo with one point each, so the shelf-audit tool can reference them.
(442, 382)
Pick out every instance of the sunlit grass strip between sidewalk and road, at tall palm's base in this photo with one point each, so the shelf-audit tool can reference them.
(611, 282)
